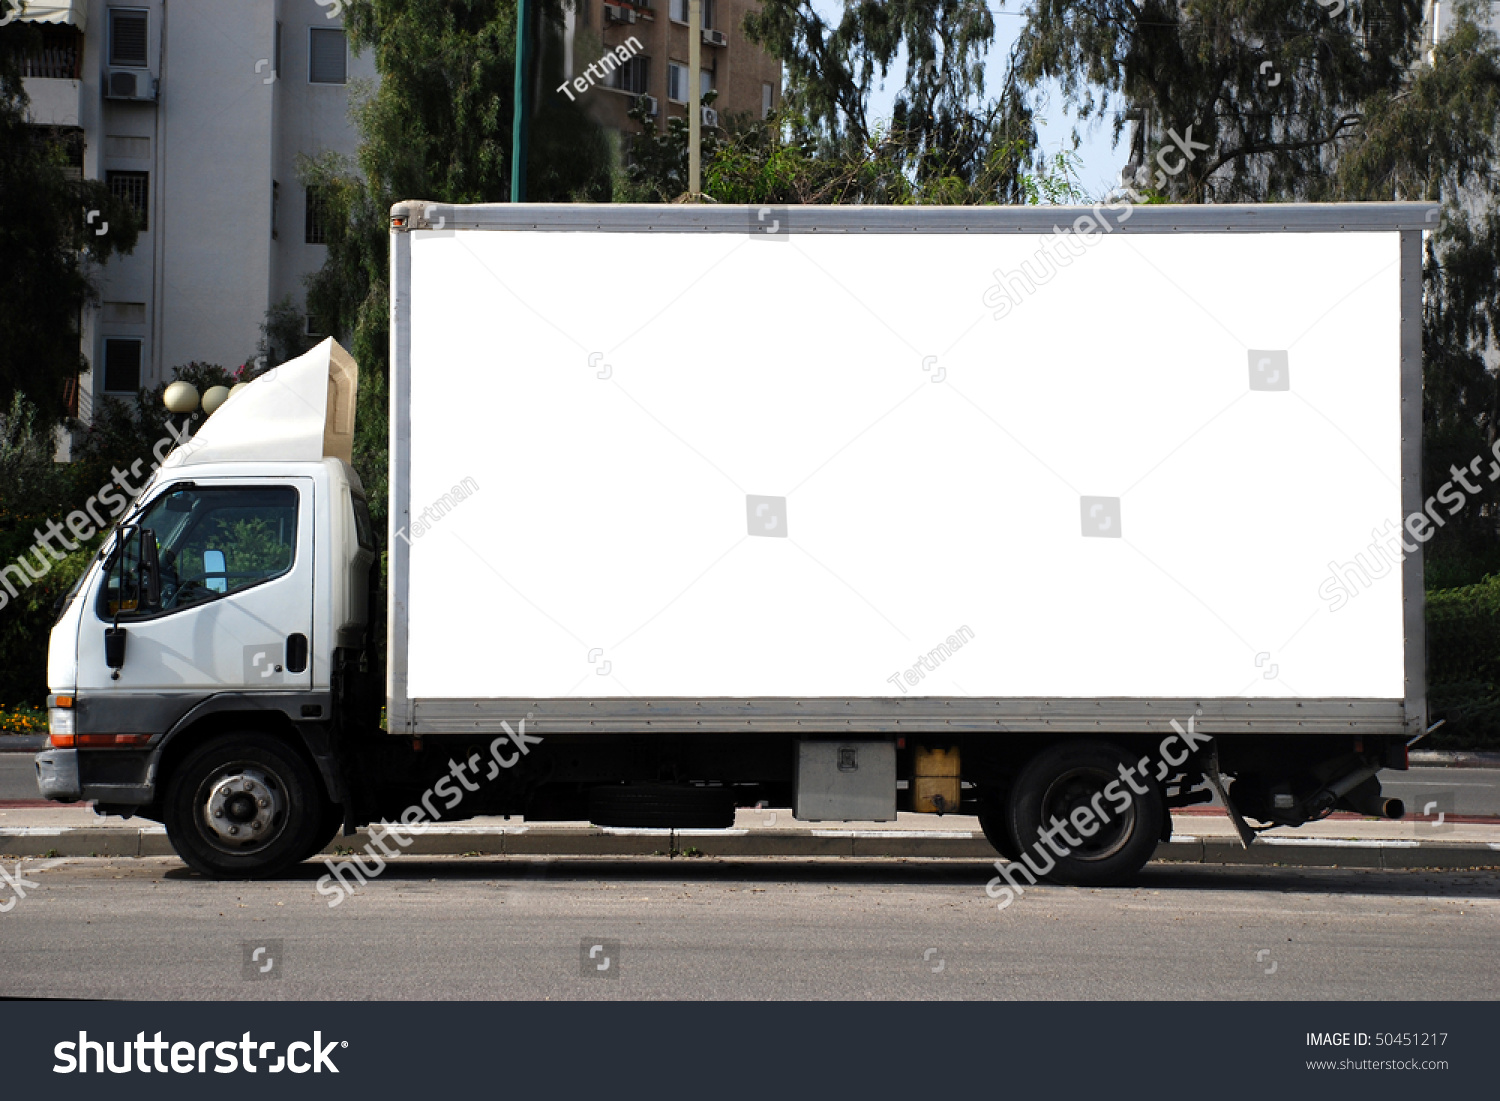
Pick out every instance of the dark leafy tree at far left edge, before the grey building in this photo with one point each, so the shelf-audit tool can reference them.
(47, 247)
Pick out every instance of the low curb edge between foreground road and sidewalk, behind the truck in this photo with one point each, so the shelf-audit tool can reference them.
(728, 844)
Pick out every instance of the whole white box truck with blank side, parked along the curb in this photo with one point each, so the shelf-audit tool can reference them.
(844, 509)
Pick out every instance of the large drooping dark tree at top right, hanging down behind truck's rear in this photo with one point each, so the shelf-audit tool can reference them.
(1295, 103)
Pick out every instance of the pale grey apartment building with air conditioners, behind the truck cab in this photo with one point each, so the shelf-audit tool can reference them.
(196, 112)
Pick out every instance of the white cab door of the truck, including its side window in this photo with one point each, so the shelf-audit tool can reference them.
(235, 604)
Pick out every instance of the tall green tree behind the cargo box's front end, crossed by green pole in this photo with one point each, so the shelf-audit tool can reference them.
(436, 128)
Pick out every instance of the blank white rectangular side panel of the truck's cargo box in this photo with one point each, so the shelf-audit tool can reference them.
(611, 512)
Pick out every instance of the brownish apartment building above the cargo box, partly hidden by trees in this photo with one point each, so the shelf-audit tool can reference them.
(748, 79)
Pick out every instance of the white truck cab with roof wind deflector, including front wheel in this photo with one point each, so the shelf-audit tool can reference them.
(193, 671)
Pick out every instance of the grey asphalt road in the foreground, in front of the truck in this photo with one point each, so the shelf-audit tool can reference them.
(752, 929)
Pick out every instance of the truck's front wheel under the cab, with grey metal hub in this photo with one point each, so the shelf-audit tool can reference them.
(250, 784)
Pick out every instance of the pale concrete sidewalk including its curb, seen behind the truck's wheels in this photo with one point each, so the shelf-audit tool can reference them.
(1199, 839)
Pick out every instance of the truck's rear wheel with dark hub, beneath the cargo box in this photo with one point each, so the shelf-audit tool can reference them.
(1066, 778)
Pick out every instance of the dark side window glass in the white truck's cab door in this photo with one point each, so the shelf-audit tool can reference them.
(211, 542)
